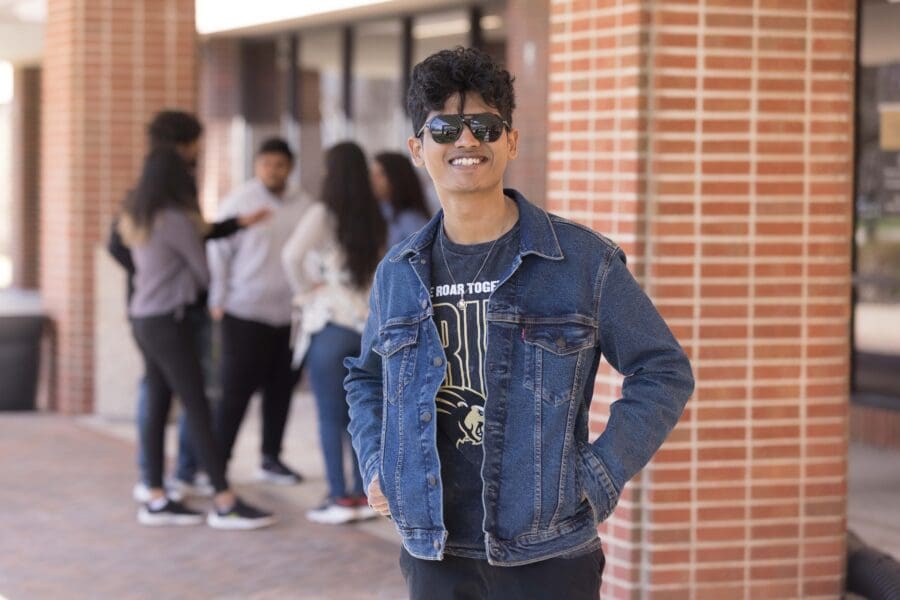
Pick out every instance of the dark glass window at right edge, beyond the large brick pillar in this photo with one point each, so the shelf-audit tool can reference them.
(876, 335)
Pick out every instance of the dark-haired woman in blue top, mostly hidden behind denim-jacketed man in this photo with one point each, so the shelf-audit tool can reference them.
(400, 195)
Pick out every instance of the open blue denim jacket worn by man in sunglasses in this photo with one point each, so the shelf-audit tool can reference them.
(566, 299)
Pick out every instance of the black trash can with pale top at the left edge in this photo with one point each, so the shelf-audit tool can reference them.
(21, 327)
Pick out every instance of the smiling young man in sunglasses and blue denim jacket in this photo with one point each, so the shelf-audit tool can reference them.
(469, 402)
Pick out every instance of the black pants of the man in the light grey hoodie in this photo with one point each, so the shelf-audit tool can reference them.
(255, 356)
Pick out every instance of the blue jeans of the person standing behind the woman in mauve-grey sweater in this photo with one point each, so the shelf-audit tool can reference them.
(187, 464)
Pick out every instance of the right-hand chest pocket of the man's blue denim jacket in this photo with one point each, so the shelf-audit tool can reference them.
(556, 358)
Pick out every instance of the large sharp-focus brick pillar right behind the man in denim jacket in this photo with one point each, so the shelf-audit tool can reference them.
(712, 140)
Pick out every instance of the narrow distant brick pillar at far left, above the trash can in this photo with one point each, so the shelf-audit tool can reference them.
(26, 121)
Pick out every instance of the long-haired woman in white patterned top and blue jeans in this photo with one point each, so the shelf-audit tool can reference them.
(330, 261)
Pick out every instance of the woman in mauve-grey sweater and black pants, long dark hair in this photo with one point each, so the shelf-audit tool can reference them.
(162, 225)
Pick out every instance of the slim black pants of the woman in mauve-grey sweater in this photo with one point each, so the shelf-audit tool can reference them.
(172, 366)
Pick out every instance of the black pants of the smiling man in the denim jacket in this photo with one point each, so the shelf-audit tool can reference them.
(457, 578)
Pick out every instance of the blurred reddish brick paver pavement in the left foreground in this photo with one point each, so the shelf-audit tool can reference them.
(68, 530)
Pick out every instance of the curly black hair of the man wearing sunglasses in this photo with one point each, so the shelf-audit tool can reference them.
(458, 71)
